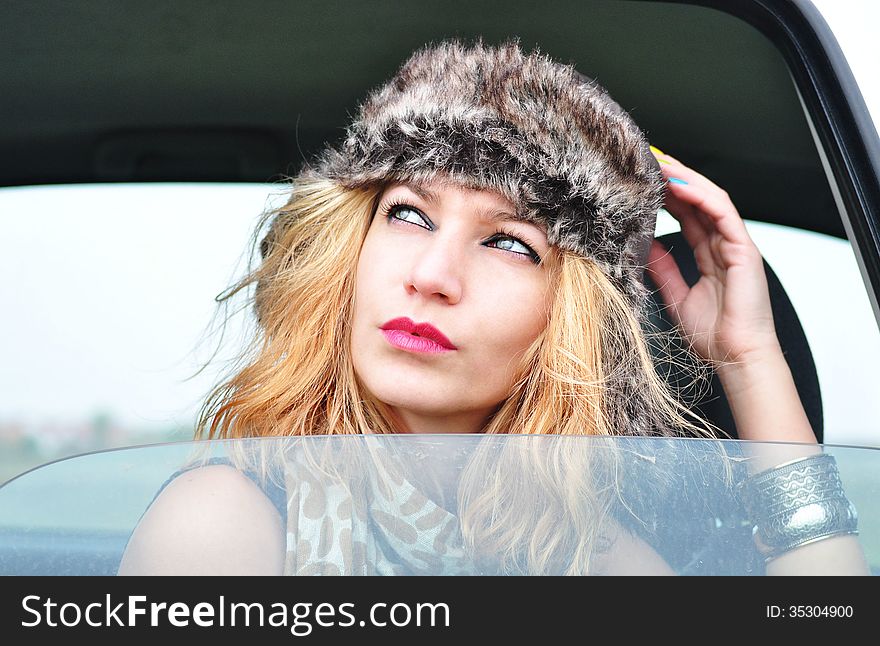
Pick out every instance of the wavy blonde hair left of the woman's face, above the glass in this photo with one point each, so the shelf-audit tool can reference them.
(297, 378)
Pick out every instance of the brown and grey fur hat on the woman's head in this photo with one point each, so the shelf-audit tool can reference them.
(534, 130)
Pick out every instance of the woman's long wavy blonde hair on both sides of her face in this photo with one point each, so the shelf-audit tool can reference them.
(297, 379)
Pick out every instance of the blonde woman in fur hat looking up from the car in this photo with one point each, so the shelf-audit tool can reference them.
(470, 261)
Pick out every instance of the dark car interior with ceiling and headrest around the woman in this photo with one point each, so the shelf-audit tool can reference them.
(187, 92)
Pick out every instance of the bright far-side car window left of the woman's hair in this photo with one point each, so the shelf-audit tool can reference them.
(109, 293)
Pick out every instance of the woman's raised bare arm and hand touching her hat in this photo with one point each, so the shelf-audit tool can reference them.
(727, 319)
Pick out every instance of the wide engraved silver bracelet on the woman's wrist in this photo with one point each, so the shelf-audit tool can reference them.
(798, 503)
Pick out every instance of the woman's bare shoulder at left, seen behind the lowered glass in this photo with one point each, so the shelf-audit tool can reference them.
(208, 520)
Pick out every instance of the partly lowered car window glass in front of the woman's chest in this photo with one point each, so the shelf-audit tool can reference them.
(680, 497)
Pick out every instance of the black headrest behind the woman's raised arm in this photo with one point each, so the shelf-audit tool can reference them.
(712, 404)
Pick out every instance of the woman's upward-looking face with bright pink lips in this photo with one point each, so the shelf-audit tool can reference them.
(450, 292)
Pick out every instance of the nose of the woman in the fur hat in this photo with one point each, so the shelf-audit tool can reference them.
(437, 271)
